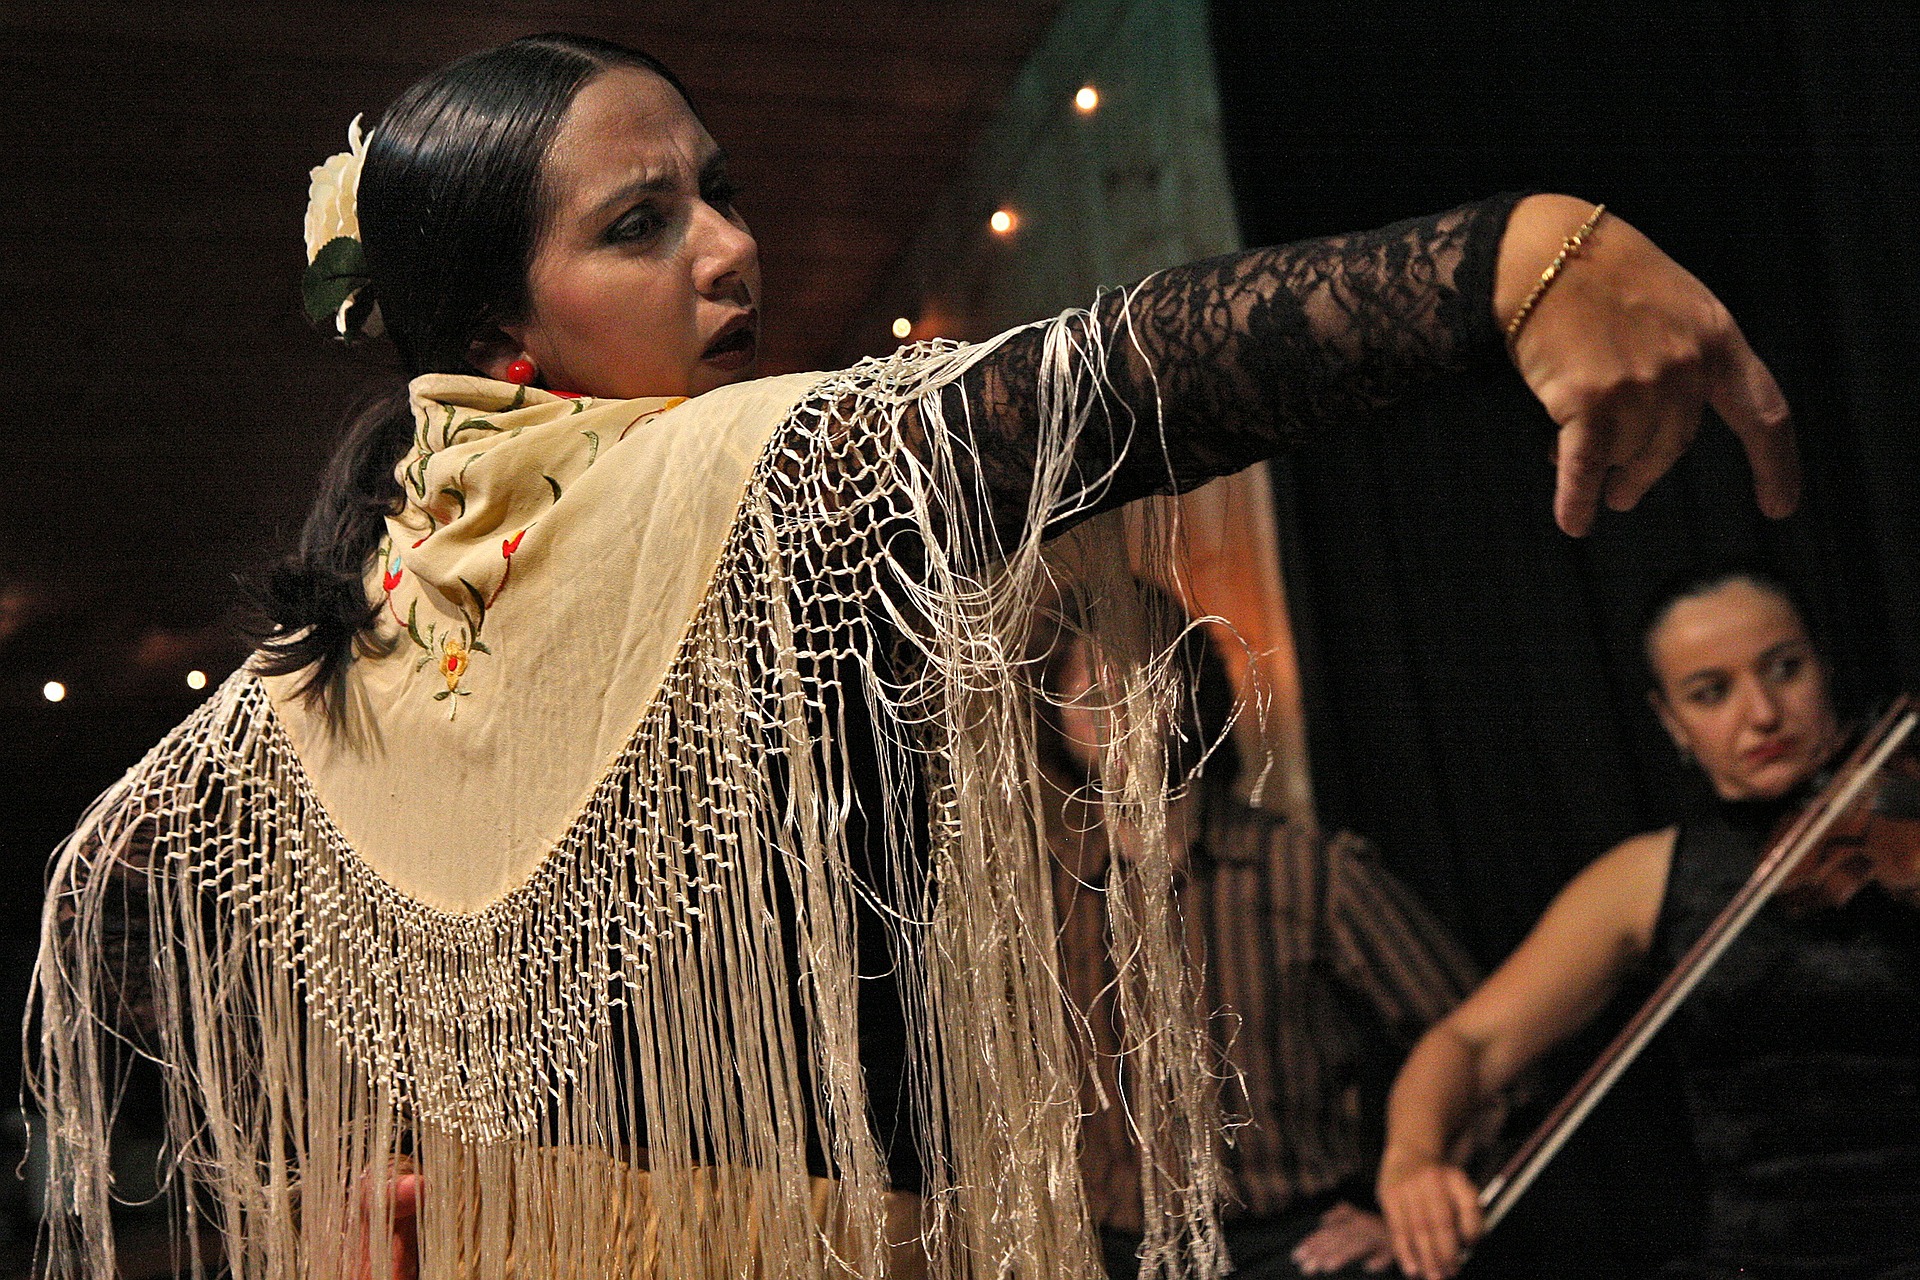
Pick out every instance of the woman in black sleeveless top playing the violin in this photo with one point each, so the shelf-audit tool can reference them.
(1800, 1051)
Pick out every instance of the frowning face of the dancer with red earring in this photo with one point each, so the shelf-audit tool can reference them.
(646, 279)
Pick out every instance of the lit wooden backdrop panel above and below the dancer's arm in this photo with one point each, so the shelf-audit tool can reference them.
(1107, 166)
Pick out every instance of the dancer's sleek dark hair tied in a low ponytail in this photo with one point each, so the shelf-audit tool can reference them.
(450, 214)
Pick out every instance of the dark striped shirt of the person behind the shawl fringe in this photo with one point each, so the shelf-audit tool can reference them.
(1318, 960)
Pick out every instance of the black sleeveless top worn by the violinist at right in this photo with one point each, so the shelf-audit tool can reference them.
(1802, 1064)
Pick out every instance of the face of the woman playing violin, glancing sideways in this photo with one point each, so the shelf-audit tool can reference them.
(1742, 692)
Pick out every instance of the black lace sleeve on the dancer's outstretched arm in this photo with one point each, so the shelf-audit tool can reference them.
(1245, 352)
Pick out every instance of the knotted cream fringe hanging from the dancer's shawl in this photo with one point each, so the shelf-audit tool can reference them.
(615, 1070)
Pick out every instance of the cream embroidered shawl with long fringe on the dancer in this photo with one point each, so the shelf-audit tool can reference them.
(564, 913)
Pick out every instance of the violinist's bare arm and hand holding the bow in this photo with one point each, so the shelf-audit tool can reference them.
(1558, 980)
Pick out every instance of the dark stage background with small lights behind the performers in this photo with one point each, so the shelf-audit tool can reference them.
(936, 170)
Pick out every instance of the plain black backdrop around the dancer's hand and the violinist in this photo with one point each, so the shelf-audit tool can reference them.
(1474, 692)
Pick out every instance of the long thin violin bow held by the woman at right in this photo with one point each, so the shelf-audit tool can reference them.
(1785, 855)
